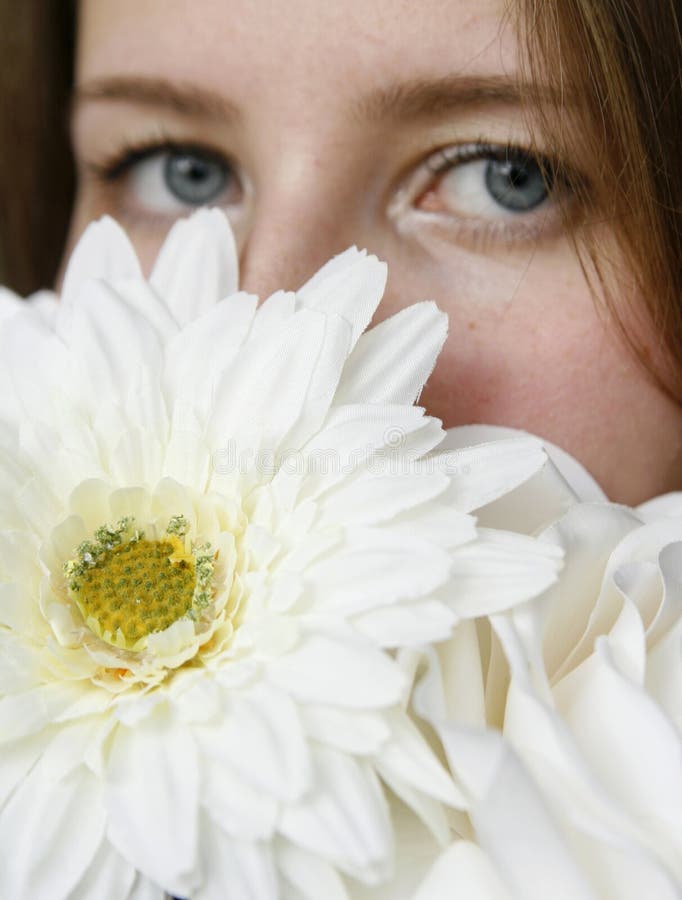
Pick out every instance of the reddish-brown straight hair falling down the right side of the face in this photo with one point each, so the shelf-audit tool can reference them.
(619, 63)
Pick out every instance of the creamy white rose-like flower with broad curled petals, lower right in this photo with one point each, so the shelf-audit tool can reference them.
(577, 792)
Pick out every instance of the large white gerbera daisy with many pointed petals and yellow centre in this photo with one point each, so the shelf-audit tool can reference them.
(218, 524)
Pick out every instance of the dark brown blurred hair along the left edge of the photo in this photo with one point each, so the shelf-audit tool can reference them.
(36, 172)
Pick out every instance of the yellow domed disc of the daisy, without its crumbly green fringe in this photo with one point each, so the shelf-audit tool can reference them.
(138, 588)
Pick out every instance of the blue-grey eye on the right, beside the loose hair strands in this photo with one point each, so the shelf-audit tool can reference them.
(486, 182)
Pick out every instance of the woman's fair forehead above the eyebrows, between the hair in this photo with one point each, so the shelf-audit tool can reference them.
(302, 45)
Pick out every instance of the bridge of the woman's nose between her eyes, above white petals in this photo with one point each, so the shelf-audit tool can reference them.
(301, 217)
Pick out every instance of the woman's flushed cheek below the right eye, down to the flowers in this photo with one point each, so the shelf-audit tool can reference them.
(527, 348)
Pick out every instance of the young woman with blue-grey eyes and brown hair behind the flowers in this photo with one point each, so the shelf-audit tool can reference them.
(516, 162)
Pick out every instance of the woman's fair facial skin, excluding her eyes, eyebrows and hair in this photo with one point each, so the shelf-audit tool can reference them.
(527, 347)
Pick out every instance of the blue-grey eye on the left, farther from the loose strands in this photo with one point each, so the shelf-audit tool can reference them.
(169, 179)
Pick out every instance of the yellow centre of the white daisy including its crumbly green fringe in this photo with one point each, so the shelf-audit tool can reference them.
(128, 587)
